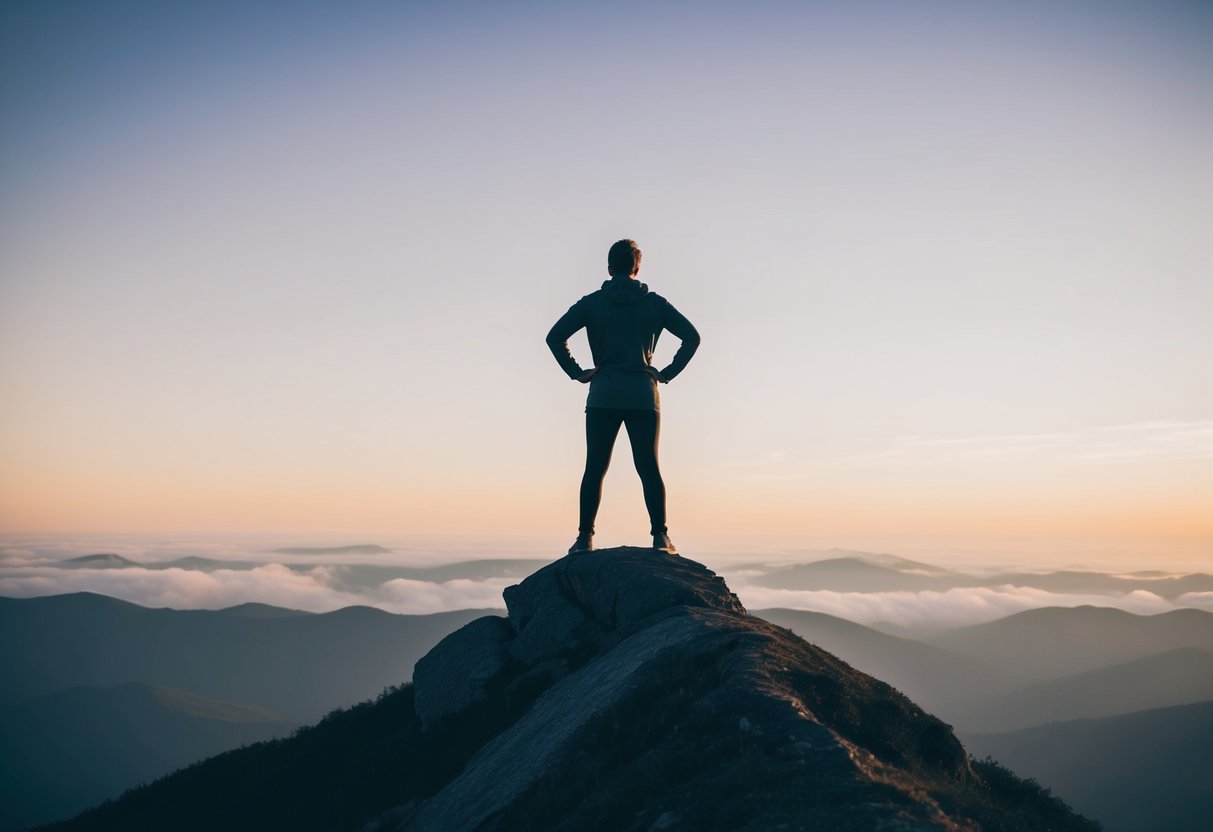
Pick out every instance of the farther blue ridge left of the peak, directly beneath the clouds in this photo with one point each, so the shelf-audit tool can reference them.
(298, 664)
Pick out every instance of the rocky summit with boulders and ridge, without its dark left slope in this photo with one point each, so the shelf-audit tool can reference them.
(643, 697)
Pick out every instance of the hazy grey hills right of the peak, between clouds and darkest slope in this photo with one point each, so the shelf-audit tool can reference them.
(1011, 674)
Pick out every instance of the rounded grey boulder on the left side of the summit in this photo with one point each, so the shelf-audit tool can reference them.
(454, 675)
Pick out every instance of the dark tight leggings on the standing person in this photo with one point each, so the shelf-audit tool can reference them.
(602, 429)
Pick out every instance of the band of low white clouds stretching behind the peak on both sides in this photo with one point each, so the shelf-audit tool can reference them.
(317, 585)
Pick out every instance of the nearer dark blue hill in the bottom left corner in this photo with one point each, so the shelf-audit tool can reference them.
(72, 749)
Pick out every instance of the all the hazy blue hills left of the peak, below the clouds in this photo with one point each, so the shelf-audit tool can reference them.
(100, 694)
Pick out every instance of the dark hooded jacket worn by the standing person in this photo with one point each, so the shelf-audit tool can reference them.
(624, 321)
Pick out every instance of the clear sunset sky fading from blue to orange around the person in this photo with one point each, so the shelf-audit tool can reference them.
(288, 269)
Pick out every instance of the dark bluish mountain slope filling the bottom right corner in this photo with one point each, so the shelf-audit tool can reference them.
(1135, 773)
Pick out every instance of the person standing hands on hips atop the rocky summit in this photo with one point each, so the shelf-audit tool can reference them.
(623, 321)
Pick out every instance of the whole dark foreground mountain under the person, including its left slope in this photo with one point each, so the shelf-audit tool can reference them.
(627, 691)
